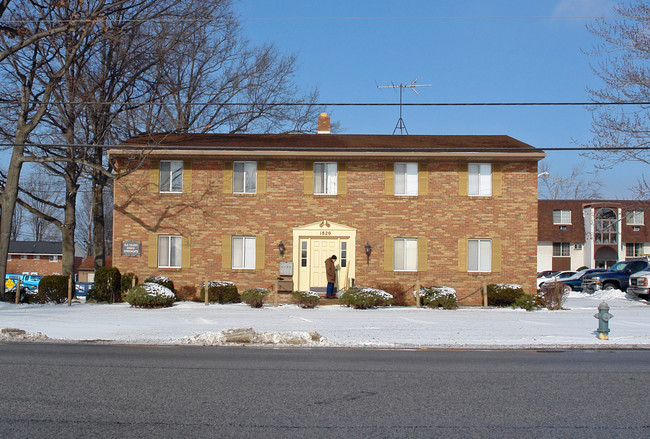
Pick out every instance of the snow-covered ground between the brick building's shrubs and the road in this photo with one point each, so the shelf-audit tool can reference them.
(189, 322)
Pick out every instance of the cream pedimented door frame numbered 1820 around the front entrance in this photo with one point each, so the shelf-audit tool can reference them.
(302, 252)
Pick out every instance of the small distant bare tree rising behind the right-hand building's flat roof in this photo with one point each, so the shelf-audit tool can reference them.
(578, 185)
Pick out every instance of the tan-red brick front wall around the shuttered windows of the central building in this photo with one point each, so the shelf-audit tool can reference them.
(442, 217)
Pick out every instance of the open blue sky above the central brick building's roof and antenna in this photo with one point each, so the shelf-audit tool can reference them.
(469, 50)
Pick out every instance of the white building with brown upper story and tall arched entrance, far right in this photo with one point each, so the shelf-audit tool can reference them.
(591, 233)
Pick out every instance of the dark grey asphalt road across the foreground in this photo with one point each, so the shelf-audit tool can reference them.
(132, 391)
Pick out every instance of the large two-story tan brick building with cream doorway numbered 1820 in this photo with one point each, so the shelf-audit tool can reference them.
(441, 210)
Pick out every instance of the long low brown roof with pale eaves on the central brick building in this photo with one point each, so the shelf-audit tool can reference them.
(333, 145)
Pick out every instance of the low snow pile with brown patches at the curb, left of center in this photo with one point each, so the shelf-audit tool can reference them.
(250, 336)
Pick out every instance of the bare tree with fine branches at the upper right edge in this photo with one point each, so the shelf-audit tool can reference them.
(623, 56)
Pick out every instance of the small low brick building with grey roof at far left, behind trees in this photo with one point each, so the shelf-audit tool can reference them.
(35, 257)
